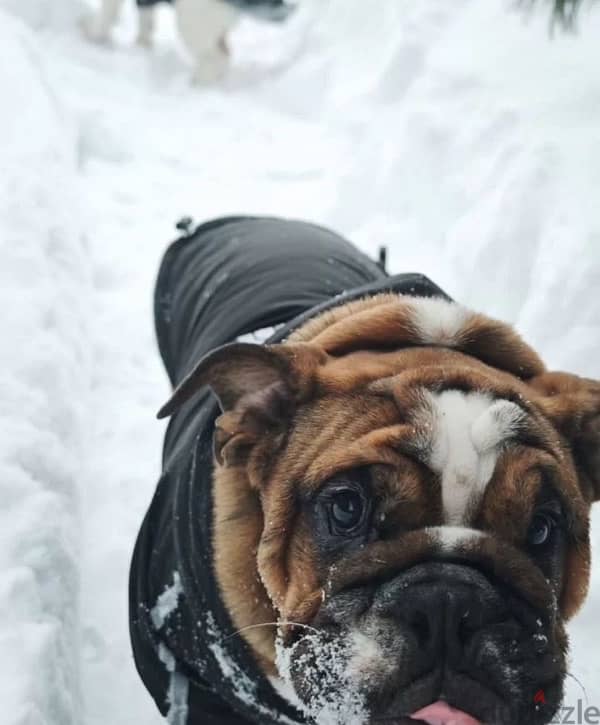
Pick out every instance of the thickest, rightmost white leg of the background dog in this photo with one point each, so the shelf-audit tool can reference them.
(203, 25)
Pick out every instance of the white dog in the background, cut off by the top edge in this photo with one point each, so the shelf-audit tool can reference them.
(202, 24)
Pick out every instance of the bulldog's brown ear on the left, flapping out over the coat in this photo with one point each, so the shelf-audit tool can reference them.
(257, 388)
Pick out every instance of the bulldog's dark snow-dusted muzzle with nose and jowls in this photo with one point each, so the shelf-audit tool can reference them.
(436, 635)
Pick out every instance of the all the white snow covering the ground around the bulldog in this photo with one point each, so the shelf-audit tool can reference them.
(462, 135)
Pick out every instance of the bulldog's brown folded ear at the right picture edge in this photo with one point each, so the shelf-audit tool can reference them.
(573, 405)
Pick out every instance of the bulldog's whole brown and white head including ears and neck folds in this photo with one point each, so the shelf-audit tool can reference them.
(406, 483)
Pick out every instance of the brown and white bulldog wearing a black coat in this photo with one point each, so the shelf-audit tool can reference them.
(400, 495)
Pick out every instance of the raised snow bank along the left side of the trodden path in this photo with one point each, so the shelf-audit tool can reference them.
(42, 382)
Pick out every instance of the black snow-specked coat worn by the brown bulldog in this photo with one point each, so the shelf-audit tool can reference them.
(229, 278)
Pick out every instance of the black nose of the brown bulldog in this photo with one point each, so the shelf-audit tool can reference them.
(441, 606)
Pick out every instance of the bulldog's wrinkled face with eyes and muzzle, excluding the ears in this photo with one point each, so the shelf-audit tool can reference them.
(427, 547)
